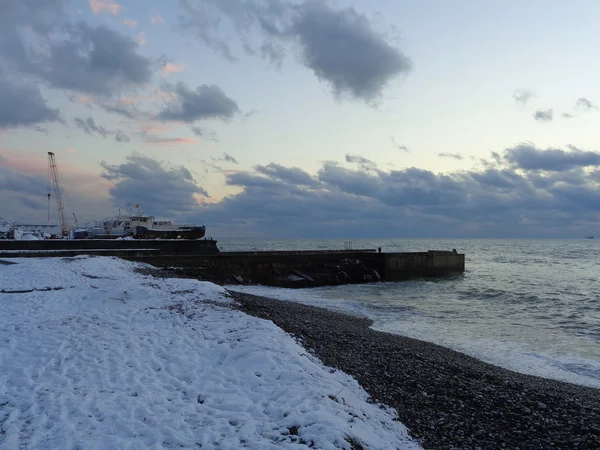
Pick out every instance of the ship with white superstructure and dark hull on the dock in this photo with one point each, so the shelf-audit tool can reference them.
(138, 226)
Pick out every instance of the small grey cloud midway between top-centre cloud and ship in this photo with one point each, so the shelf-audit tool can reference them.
(205, 102)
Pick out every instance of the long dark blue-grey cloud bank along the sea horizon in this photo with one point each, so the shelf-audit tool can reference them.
(515, 196)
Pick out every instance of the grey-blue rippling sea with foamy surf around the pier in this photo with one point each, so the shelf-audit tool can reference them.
(531, 306)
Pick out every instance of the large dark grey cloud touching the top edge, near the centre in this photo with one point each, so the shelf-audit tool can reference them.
(340, 46)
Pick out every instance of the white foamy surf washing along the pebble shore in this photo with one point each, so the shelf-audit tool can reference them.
(500, 351)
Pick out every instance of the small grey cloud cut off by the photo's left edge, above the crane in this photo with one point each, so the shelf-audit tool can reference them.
(22, 104)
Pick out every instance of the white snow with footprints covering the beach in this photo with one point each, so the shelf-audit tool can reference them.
(95, 355)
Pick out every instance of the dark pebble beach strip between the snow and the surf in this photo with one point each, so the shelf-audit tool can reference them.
(445, 398)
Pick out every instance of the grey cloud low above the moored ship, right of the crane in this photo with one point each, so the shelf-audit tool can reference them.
(162, 189)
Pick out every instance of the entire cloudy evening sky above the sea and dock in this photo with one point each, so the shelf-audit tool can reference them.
(306, 119)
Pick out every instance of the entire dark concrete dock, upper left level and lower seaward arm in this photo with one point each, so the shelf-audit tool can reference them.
(202, 259)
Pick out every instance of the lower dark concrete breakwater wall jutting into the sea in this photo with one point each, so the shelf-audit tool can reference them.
(310, 268)
